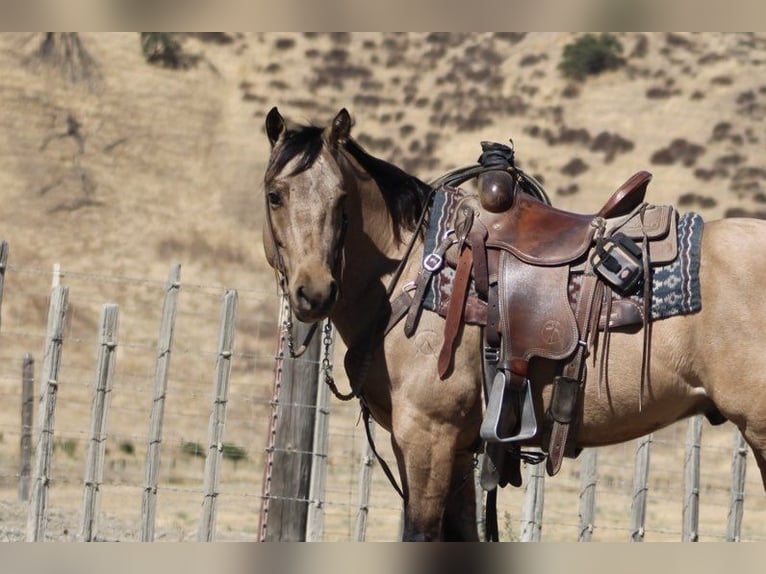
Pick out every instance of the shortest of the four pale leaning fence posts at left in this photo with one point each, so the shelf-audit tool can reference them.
(99, 416)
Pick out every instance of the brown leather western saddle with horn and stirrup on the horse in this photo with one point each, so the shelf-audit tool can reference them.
(551, 281)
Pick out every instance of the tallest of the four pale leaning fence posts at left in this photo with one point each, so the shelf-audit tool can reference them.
(162, 366)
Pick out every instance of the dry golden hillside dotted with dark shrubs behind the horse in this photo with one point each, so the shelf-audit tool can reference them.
(135, 167)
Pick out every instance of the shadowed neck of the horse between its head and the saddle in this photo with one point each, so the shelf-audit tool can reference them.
(371, 255)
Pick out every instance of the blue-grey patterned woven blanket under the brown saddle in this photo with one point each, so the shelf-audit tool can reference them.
(675, 287)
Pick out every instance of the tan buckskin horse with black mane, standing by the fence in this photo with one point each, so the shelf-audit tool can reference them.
(343, 232)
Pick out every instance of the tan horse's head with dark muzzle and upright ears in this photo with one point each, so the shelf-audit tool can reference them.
(305, 219)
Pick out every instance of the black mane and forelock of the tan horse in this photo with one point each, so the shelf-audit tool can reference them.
(404, 194)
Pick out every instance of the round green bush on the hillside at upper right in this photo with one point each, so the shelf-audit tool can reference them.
(591, 54)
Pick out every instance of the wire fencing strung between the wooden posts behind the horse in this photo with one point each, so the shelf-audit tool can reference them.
(188, 402)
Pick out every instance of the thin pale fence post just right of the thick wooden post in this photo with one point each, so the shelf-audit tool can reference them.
(318, 480)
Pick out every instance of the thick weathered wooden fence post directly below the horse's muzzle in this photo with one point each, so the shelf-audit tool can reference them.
(288, 468)
